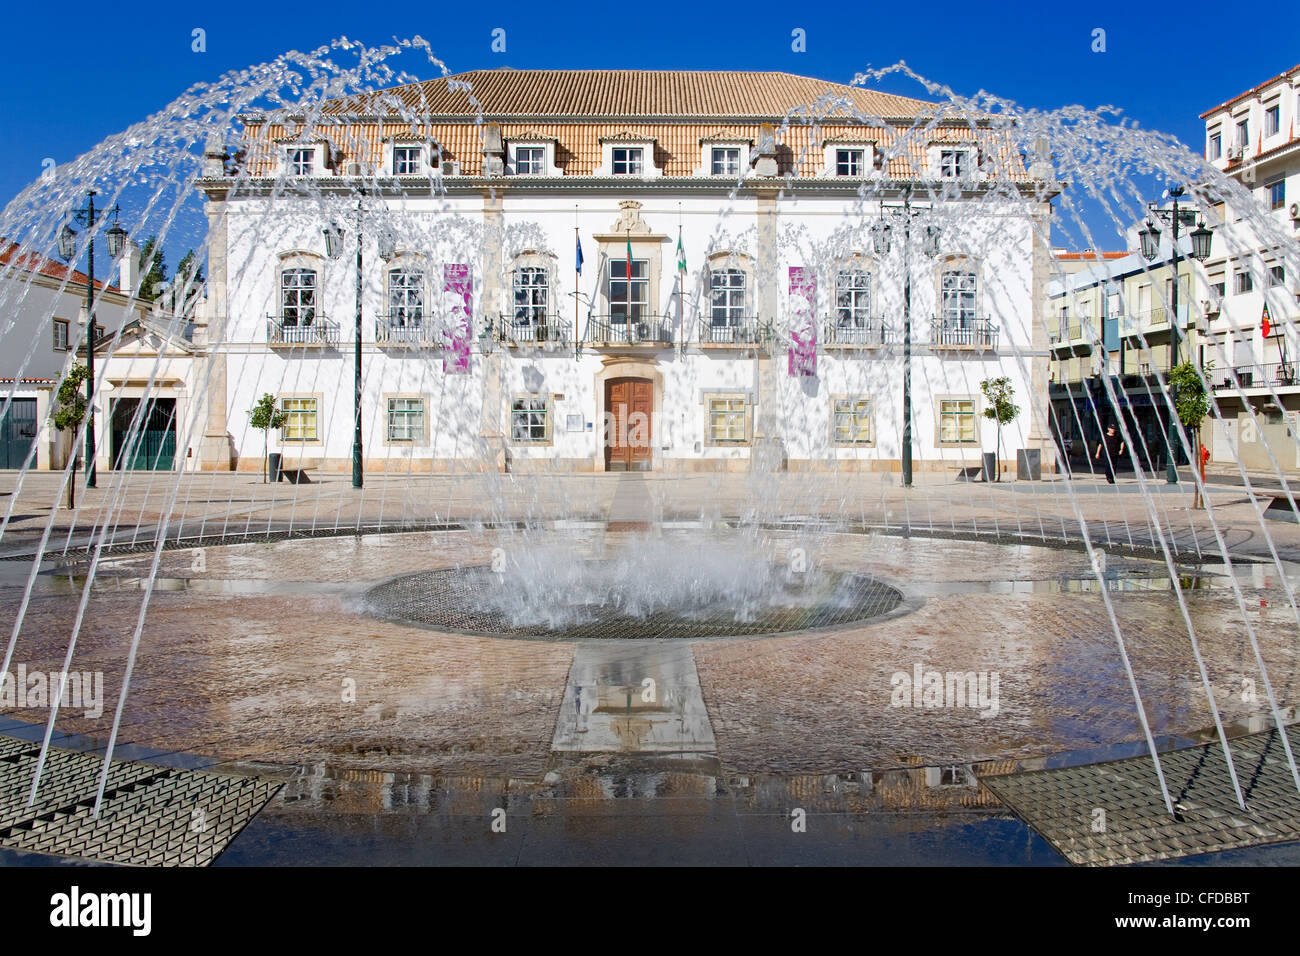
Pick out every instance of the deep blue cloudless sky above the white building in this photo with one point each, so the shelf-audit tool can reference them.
(81, 72)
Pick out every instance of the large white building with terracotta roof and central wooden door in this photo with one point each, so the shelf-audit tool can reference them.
(617, 270)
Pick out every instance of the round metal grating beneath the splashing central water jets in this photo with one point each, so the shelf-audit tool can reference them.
(447, 600)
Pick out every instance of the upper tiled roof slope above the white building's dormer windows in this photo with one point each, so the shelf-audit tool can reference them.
(508, 93)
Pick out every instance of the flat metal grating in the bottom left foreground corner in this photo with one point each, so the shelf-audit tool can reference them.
(151, 816)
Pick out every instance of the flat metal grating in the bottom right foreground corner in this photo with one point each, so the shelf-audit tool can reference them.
(1112, 814)
